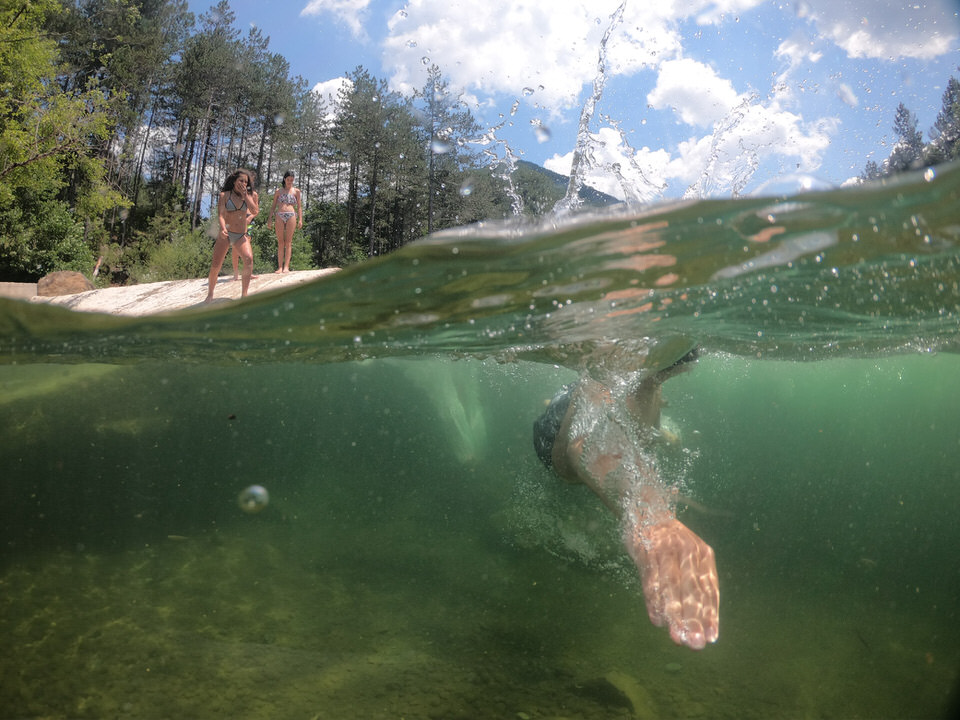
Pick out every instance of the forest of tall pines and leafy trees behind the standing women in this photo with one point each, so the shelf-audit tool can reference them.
(120, 120)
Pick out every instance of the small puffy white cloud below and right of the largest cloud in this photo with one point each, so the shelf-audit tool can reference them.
(694, 92)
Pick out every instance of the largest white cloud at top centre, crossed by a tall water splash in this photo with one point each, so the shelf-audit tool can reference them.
(501, 47)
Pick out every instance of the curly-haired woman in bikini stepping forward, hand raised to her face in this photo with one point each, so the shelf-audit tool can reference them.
(238, 205)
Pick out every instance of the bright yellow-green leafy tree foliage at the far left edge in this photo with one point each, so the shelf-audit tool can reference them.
(46, 168)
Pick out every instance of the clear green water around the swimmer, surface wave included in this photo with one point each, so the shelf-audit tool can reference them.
(417, 561)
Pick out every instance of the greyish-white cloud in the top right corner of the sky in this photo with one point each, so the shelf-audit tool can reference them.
(887, 29)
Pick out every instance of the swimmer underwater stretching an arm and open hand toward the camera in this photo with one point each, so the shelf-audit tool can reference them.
(600, 435)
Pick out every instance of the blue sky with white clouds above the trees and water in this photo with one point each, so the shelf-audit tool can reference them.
(702, 97)
